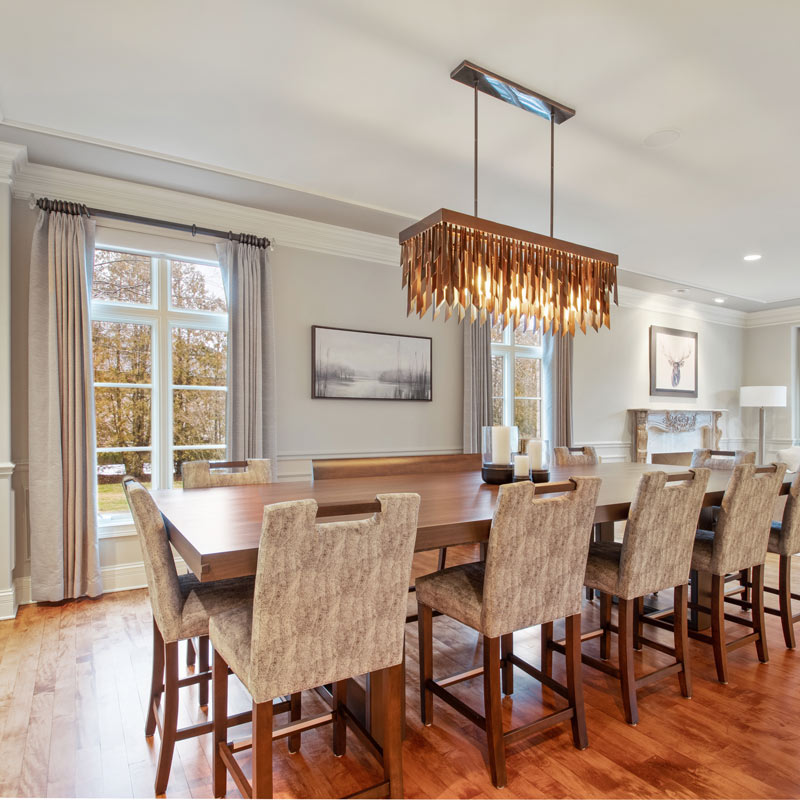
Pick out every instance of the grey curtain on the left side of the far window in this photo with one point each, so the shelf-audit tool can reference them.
(477, 383)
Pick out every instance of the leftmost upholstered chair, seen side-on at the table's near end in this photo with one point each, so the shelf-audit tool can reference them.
(181, 607)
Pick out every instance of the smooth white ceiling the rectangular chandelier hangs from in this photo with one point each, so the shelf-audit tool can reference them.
(352, 101)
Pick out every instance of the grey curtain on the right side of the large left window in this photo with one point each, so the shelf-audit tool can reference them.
(251, 412)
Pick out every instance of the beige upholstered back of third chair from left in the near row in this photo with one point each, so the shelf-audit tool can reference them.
(659, 534)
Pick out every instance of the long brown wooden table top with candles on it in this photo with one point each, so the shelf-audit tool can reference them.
(217, 530)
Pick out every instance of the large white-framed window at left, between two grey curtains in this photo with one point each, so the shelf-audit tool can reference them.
(159, 338)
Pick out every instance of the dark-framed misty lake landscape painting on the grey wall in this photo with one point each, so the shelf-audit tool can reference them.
(361, 365)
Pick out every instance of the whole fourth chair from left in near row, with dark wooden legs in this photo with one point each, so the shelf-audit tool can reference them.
(738, 542)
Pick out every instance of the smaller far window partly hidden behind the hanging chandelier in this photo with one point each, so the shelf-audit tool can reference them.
(517, 380)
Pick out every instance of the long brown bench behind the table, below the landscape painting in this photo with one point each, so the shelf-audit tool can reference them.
(330, 468)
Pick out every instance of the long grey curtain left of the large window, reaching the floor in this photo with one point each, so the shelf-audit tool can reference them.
(61, 426)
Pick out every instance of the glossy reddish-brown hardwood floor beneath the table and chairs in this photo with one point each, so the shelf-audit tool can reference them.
(74, 684)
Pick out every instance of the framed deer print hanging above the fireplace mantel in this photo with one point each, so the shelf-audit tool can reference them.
(673, 362)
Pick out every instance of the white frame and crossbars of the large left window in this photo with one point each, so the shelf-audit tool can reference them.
(162, 319)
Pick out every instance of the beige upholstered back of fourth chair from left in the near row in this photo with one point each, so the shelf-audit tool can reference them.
(745, 519)
